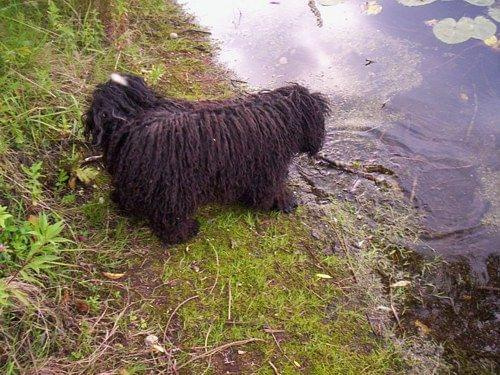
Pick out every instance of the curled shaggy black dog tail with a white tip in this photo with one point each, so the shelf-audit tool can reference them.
(114, 104)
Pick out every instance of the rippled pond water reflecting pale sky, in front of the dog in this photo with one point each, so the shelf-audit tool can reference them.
(428, 110)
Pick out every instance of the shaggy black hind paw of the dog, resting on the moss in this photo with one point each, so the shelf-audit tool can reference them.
(175, 231)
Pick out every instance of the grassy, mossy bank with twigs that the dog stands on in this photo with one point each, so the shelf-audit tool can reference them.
(247, 276)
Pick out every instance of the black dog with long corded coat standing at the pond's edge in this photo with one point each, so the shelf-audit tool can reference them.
(167, 157)
